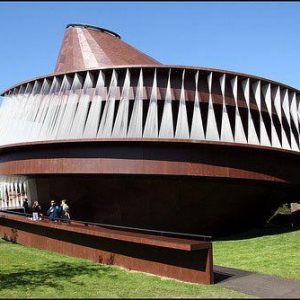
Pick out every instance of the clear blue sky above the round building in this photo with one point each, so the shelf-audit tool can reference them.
(258, 38)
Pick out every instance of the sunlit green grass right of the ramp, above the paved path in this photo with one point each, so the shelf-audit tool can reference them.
(271, 250)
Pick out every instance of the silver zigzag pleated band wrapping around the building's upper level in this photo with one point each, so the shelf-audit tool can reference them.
(152, 102)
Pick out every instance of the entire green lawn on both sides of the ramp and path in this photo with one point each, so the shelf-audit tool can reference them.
(30, 273)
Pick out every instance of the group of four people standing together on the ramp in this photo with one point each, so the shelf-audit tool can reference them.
(54, 212)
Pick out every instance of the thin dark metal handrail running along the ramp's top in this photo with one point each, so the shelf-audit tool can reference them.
(160, 232)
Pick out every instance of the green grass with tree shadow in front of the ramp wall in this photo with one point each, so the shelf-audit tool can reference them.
(30, 273)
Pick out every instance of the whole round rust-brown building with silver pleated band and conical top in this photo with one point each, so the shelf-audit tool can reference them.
(130, 141)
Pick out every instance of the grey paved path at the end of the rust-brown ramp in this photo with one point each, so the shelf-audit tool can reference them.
(259, 285)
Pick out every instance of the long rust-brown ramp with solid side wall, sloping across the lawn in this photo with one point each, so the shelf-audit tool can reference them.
(184, 259)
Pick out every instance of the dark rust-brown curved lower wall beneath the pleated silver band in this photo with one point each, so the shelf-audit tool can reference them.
(199, 187)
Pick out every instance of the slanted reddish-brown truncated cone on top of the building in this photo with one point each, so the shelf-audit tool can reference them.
(87, 47)
